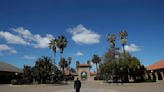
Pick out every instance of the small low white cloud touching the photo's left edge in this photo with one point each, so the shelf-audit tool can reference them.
(5, 48)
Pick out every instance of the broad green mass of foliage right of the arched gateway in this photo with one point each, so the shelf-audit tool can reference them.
(118, 69)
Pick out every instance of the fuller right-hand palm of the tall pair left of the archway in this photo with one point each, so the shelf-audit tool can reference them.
(62, 43)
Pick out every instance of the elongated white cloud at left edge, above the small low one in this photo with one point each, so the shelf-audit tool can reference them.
(12, 39)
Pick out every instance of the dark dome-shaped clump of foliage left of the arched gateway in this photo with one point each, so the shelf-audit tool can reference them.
(42, 72)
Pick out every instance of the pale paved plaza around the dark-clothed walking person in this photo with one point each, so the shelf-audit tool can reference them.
(90, 86)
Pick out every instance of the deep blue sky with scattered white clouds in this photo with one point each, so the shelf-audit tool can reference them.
(27, 25)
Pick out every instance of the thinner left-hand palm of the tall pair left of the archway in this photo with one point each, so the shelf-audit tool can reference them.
(53, 45)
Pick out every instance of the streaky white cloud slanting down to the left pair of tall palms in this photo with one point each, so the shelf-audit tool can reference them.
(35, 40)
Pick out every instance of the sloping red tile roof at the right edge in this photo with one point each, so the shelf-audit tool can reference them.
(157, 65)
